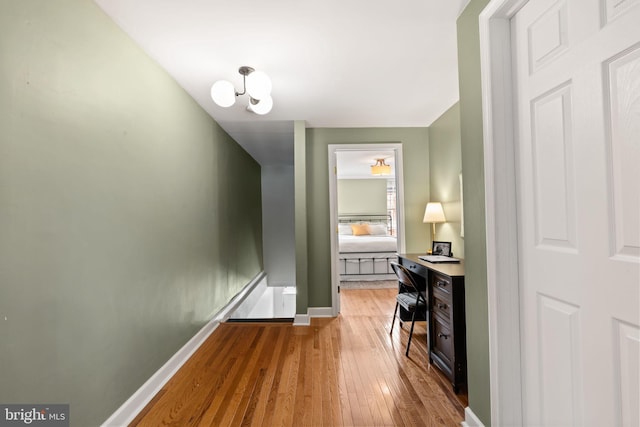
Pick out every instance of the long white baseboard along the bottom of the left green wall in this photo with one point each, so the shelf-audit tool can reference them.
(126, 413)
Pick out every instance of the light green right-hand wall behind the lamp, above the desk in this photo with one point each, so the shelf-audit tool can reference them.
(445, 165)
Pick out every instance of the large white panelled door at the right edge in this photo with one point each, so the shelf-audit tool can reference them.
(577, 72)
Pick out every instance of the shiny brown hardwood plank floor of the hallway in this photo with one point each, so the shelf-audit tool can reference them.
(344, 371)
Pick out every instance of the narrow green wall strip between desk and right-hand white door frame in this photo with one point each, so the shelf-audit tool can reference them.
(474, 217)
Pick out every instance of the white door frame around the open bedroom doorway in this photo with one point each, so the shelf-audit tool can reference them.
(333, 206)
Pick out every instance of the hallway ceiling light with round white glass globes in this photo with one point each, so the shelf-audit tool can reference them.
(255, 83)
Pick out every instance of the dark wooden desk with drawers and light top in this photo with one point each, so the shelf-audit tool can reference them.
(446, 315)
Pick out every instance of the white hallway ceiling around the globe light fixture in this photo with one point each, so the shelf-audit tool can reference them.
(333, 63)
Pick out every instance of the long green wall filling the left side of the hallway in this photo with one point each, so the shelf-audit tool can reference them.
(127, 216)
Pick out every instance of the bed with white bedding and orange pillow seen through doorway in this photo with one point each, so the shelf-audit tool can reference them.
(367, 246)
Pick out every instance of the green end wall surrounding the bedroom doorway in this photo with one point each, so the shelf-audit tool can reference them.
(415, 147)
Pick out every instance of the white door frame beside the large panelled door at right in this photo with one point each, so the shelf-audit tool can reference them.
(503, 284)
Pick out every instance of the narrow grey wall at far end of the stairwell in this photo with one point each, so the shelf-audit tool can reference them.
(278, 225)
